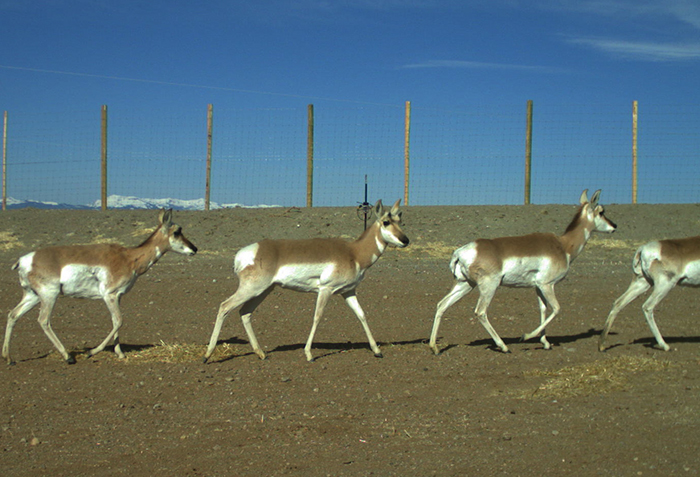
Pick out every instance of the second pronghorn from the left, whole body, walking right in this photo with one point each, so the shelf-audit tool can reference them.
(325, 266)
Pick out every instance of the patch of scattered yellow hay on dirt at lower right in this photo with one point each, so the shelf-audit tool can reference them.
(594, 378)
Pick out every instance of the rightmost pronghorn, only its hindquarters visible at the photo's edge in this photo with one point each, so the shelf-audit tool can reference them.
(661, 265)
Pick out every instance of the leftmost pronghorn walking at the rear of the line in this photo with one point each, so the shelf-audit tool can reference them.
(96, 271)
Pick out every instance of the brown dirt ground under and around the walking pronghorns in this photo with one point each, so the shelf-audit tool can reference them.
(632, 410)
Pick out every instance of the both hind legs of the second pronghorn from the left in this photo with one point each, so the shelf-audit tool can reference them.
(244, 295)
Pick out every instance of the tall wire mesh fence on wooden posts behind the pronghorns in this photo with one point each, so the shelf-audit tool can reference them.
(457, 155)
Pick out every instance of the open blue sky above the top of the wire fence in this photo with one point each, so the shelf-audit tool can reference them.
(80, 54)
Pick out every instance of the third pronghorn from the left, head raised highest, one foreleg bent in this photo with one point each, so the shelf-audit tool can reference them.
(537, 260)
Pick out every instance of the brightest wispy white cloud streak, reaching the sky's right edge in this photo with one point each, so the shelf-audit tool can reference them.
(643, 50)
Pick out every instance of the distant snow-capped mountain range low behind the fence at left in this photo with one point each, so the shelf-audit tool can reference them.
(128, 202)
